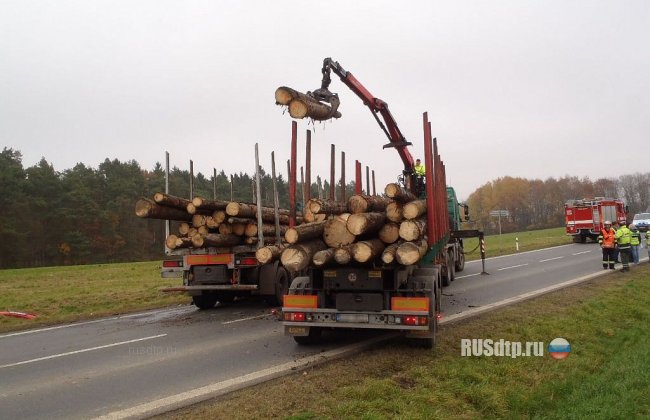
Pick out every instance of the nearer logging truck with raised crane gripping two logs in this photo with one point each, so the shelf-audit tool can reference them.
(381, 265)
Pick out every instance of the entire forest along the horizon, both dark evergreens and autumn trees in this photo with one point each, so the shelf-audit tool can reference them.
(86, 215)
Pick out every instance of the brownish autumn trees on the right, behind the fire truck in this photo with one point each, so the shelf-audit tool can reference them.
(537, 204)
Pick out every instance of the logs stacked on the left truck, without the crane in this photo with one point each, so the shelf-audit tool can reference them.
(205, 223)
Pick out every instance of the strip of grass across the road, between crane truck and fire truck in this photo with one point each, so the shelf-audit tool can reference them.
(506, 243)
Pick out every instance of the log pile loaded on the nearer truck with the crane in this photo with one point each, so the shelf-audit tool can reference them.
(368, 230)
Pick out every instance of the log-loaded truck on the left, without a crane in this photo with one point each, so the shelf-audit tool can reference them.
(213, 249)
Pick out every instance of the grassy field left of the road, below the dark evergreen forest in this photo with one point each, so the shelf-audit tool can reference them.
(64, 294)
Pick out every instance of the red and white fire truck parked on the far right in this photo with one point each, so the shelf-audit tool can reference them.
(584, 218)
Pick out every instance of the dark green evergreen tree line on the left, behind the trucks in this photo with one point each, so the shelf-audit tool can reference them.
(85, 215)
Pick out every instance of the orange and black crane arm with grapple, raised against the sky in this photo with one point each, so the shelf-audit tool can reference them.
(376, 106)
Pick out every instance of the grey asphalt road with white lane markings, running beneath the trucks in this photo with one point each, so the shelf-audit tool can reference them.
(90, 369)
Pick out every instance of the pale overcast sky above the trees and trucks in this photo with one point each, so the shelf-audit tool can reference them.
(532, 89)
